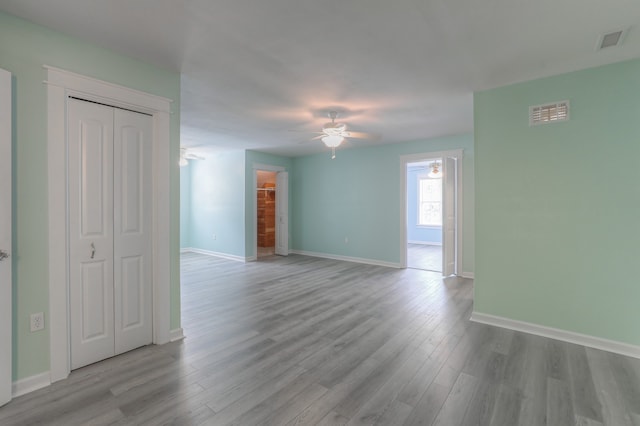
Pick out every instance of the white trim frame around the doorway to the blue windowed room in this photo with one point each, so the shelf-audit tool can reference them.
(416, 158)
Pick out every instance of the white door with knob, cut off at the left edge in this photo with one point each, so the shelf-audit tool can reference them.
(6, 277)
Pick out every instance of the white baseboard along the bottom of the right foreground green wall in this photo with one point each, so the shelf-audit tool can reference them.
(554, 333)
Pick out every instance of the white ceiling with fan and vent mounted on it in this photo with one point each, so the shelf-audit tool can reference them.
(263, 74)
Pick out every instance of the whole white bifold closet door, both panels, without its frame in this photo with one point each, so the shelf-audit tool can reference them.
(109, 175)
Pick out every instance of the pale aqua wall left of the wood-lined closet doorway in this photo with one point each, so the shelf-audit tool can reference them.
(217, 203)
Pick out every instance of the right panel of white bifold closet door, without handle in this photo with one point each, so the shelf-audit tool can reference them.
(132, 224)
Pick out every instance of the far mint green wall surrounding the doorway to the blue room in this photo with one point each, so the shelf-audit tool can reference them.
(357, 196)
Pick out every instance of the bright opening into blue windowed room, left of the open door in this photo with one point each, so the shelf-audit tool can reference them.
(424, 215)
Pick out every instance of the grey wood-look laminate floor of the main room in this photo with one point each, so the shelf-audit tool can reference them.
(307, 341)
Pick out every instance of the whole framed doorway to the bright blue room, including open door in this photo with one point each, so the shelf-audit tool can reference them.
(431, 212)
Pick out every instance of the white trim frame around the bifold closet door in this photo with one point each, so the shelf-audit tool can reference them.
(60, 85)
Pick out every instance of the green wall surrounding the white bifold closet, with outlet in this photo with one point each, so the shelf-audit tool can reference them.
(24, 48)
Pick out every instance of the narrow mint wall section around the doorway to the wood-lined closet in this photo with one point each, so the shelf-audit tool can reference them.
(254, 157)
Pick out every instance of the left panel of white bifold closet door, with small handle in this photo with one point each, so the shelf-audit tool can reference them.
(90, 232)
